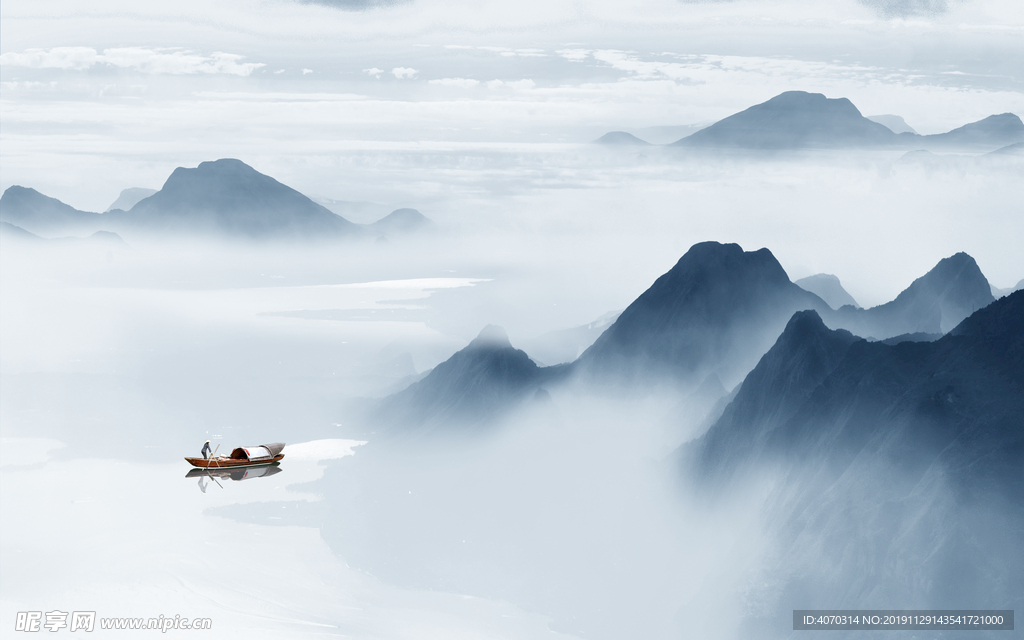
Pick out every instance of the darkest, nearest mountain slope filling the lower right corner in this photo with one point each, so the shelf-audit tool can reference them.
(908, 458)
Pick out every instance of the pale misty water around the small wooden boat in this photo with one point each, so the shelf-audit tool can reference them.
(562, 521)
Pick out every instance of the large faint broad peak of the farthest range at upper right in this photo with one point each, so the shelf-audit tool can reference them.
(794, 120)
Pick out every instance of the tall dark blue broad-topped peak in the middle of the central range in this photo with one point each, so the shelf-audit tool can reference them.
(716, 312)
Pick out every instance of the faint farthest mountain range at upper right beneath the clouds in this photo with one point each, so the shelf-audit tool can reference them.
(797, 120)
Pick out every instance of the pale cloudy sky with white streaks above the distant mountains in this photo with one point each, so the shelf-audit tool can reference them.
(103, 96)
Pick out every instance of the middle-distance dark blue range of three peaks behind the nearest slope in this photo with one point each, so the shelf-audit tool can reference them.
(698, 331)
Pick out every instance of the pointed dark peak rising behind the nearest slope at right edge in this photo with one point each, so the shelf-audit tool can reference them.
(934, 304)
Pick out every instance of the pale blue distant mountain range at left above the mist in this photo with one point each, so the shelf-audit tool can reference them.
(226, 198)
